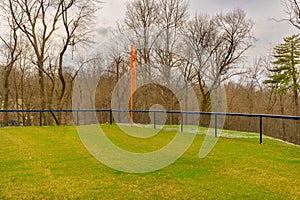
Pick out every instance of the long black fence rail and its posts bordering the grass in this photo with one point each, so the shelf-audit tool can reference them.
(215, 114)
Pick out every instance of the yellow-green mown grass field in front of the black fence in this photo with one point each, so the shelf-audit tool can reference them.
(52, 163)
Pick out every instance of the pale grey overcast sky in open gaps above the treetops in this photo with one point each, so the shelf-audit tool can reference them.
(263, 13)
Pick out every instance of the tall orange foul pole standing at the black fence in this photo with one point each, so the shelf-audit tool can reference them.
(132, 79)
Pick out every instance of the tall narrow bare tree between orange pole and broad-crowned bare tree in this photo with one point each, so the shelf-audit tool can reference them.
(172, 17)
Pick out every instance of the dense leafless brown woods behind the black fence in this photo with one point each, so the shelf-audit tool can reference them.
(48, 45)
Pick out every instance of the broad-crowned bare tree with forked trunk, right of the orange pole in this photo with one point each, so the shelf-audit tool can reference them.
(218, 43)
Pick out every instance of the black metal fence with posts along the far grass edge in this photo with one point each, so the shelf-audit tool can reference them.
(109, 115)
